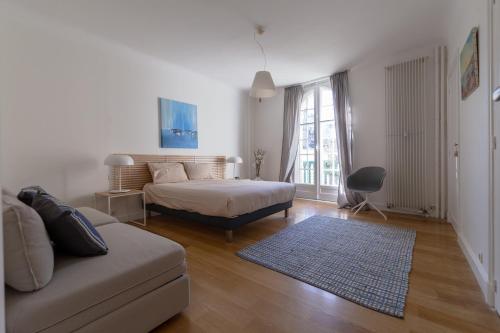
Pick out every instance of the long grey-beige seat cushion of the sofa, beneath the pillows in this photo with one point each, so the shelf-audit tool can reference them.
(84, 289)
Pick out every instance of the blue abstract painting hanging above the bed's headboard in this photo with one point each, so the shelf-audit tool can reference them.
(178, 124)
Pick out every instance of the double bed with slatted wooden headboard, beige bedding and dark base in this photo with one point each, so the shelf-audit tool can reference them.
(224, 203)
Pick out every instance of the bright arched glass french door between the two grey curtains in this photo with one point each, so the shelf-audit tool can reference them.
(316, 167)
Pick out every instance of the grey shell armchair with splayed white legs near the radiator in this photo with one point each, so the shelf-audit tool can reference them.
(365, 181)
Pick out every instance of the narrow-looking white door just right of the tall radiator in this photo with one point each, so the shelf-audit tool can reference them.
(453, 142)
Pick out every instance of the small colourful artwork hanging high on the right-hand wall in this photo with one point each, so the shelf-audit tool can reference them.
(469, 64)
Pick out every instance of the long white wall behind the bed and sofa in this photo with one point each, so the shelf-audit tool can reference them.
(71, 99)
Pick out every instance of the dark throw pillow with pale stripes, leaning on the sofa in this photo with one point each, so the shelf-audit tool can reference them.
(70, 231)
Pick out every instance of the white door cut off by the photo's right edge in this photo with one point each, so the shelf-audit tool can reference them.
(496, 159)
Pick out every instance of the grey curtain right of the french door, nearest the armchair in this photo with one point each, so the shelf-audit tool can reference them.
(342, 111)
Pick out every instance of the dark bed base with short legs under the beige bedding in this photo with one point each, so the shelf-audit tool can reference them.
(226, 223)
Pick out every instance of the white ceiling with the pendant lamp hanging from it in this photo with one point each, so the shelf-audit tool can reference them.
(304, 39)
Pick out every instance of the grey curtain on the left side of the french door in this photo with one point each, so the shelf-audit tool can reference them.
(290, 144)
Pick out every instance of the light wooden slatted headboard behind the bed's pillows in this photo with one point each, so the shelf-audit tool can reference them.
(134, 177)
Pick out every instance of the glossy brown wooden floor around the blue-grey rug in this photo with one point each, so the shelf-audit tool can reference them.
(229, 294)
